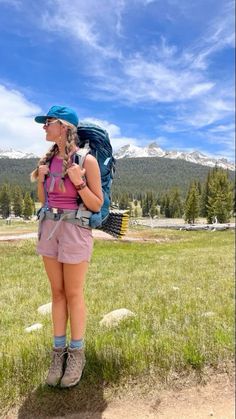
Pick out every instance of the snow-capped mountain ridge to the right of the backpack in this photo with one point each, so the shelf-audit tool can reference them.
(153, 150)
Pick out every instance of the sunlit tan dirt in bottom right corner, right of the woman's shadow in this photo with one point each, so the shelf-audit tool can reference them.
(215, 400)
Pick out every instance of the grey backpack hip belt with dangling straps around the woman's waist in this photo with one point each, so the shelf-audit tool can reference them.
(78, 217)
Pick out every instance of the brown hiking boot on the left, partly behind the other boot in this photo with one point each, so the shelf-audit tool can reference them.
(56, 369)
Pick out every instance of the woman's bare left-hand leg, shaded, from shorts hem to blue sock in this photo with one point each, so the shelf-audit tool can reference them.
(54, 271)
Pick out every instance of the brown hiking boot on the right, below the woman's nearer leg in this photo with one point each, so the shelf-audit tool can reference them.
(74, 367)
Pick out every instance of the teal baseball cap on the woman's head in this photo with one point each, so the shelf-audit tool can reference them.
(59, 112)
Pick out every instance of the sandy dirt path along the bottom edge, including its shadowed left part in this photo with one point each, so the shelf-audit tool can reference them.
(212, 400)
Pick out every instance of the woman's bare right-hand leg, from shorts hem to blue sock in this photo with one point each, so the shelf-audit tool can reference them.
(74, 278)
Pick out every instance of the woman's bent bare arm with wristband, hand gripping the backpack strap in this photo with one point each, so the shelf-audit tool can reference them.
(91, 195)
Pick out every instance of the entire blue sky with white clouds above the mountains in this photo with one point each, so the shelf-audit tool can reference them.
(147, 70)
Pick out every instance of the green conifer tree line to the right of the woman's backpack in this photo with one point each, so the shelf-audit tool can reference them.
(213, 200)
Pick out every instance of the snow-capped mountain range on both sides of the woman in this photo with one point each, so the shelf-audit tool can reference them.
(152, 150)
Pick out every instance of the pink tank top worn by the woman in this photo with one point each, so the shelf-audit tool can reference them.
(57, 198)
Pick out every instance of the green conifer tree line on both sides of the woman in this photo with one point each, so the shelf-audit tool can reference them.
(212, 199)
